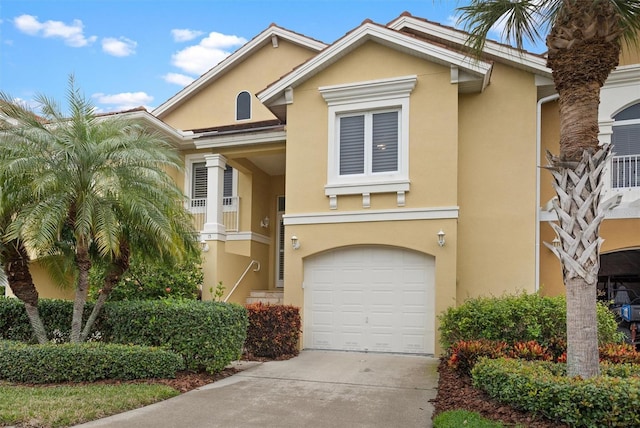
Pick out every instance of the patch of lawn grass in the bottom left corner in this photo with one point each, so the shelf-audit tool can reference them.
(62, 406)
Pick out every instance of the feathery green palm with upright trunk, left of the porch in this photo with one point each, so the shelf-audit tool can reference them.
(95, 182)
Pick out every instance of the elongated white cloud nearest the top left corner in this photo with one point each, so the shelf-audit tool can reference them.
(73, 35)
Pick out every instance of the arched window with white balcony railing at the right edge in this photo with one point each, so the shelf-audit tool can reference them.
(626, 148)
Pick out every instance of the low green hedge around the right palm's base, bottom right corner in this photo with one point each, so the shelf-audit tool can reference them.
(610, 400)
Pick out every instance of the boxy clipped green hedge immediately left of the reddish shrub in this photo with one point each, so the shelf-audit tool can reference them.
(208, 335)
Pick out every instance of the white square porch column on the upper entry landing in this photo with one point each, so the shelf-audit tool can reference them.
(214, 227)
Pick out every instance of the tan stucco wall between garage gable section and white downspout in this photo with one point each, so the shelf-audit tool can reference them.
(497, 186)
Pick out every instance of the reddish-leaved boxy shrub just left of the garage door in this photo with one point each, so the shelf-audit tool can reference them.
(274, 330)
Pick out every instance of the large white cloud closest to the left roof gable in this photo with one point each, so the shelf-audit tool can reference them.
(210, 51)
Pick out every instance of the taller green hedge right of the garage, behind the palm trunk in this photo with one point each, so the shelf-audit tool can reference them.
(517, 318)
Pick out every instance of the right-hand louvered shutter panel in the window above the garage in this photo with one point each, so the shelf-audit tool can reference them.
(385, 142)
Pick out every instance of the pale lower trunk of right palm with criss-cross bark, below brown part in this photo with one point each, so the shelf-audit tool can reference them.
(580, 213)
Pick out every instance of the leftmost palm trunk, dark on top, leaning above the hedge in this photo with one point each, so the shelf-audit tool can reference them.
(20, 281)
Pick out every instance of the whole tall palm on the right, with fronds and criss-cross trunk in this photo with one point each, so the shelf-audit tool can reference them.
(584, 41)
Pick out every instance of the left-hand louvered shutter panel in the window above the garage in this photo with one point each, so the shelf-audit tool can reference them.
(351, 145)
